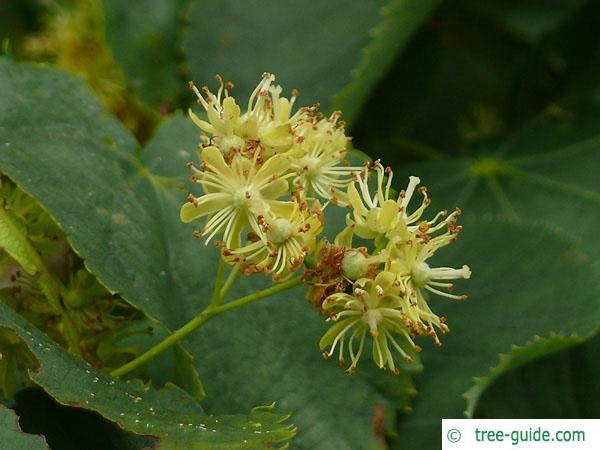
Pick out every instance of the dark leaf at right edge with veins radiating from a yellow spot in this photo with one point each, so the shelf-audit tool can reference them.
(547, 171)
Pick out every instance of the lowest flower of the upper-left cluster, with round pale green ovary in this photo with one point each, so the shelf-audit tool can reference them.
(288, 240)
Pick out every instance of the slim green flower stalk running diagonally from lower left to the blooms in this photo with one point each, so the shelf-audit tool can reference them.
(204, 316)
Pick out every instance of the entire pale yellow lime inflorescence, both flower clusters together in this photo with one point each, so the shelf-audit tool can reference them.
(267, 175)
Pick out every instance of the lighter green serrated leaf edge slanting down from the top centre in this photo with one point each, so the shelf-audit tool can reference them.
(401, 19)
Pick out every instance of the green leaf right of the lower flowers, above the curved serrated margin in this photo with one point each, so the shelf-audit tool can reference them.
(517, 291)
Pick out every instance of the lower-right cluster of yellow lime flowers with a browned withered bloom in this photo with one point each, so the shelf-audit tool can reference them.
(384, 293)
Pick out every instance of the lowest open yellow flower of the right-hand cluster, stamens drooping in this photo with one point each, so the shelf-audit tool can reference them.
(375, 307)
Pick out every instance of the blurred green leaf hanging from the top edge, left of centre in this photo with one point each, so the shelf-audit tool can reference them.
(144, 36)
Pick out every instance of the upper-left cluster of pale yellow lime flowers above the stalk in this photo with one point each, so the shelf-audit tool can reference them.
(264, 175)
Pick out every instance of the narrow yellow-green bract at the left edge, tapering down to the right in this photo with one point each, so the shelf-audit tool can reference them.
(17, 244)
